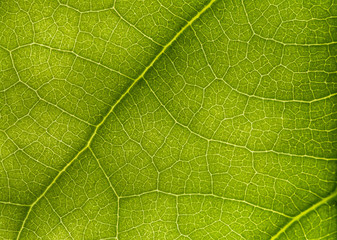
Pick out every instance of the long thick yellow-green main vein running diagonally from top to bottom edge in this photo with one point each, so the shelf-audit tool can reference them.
(189, 23)
